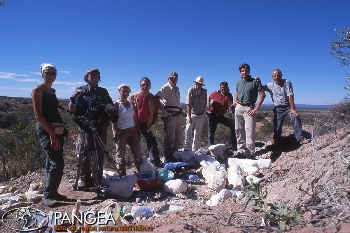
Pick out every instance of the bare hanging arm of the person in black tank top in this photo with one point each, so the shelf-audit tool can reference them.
(37, 95)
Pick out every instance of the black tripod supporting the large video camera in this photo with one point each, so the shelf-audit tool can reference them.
(89, 142)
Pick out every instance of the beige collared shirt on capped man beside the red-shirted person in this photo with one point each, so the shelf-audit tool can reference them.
(170, 96)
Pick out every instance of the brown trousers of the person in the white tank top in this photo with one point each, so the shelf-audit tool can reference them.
(129, 137)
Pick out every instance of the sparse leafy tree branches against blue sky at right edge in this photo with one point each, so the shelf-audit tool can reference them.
(340, 49)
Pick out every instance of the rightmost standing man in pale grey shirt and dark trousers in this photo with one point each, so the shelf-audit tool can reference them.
(281, 91)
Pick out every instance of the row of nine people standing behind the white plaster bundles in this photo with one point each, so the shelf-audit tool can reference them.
(138, 114)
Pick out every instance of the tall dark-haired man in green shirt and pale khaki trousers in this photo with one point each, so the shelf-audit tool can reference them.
(247, 90)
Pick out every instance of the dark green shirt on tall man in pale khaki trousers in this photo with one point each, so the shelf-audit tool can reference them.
(248, 91)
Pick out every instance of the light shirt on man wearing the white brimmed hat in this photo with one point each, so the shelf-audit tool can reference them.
(197, 99)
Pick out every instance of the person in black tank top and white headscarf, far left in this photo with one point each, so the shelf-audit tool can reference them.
(45, 105)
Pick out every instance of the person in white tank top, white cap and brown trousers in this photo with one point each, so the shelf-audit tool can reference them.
(126, 131)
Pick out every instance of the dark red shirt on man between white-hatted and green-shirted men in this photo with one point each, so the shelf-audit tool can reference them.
(220, 102)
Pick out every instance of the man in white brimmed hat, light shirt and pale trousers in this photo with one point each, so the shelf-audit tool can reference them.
(196, 101)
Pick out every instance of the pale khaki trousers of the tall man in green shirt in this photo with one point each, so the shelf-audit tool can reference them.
(245, 129)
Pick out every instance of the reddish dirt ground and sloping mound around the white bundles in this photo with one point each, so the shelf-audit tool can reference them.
(314, 176)
